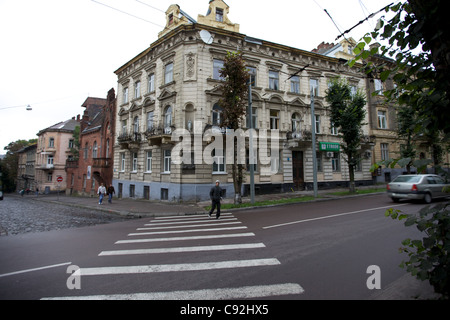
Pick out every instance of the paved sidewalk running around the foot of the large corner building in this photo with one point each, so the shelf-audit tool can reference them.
(140, 207)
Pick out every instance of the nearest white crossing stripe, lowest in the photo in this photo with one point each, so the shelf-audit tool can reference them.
(248, 292)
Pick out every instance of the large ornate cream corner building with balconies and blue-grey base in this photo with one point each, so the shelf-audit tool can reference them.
(175, 84)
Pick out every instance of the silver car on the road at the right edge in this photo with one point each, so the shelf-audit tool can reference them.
(424, 187)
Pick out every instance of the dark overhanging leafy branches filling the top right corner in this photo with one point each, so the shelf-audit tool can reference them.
(418, 39)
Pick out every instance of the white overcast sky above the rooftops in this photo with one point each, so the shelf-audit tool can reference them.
(56, 53)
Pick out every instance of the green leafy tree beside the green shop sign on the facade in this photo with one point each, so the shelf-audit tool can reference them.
(347, 114)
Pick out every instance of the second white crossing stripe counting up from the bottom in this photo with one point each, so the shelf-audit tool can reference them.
(175, 267)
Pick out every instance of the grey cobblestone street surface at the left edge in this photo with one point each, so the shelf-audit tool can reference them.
(20, 215)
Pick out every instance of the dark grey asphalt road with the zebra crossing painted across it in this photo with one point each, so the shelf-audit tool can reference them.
(318, 250)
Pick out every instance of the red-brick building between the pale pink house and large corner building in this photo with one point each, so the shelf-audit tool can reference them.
(93, 164)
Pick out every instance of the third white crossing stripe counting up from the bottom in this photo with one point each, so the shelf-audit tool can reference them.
(184, 249)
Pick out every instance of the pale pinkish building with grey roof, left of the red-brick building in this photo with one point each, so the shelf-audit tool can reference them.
(53, 147)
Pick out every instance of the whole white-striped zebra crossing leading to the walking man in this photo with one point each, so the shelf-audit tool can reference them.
(189, 234)
